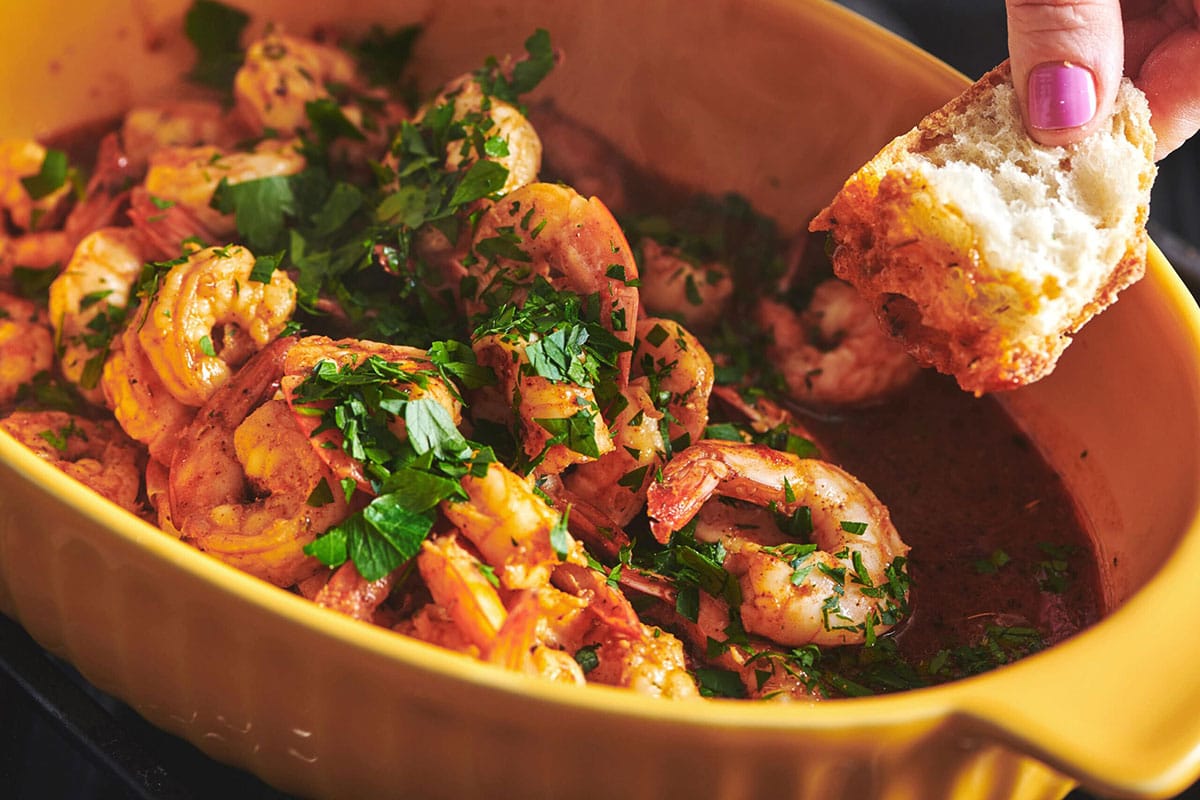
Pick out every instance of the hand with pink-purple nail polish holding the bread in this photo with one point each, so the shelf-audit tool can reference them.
(1069, 57)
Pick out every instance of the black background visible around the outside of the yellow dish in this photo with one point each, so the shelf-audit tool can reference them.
(61, 739)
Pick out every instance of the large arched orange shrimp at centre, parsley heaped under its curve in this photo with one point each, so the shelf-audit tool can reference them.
(572, 242)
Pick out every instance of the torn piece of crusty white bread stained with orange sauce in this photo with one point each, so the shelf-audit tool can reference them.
(983, 251)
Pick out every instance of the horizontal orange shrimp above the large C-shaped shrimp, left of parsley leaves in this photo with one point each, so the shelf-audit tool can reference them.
(189, 177)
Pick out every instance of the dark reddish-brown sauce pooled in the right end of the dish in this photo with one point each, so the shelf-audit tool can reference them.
(997, 539)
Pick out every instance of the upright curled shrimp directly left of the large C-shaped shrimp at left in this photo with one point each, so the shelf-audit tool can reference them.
(88, 298)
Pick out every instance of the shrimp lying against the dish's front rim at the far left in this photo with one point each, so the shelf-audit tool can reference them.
(94, 453)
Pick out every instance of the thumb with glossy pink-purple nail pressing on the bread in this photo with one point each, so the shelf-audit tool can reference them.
(1066, 58)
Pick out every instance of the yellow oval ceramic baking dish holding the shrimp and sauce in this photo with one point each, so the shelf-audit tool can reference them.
(779, 101)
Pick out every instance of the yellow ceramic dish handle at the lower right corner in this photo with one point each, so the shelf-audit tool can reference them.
(1129, 721)
